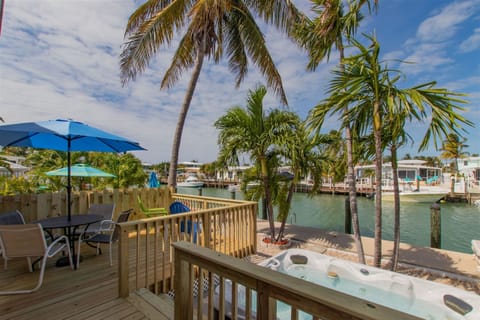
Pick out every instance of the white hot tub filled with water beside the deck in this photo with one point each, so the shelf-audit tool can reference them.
(422, 298)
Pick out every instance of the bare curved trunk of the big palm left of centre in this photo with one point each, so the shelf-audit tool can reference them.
(177, 138)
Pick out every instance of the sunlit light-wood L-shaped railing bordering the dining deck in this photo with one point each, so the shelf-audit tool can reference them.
(145, 252)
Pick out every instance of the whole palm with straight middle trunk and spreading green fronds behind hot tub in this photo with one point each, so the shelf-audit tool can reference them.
(365, 84)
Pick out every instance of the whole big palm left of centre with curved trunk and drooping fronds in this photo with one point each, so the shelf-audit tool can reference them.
(210, 30)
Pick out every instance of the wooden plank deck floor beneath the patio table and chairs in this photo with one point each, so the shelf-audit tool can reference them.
(90, 292)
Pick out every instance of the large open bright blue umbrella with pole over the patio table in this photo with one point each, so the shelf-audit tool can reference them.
(64, 135)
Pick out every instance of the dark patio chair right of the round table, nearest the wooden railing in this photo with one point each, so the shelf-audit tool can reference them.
(108, 234)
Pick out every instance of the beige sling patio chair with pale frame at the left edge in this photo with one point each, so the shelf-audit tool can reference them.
(28, 241)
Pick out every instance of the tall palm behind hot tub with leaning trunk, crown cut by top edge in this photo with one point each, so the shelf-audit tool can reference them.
(332, 27)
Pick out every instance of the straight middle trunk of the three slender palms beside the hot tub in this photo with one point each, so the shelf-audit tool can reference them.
(377, 255)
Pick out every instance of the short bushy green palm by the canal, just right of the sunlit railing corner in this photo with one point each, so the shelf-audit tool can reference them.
(259, 134)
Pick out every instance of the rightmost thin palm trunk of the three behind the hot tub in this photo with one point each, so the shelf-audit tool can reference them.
(396, 208)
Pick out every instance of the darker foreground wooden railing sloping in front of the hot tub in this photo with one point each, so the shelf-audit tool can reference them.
(209, 285)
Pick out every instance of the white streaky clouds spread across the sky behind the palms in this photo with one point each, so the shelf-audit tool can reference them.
(60, 59)
